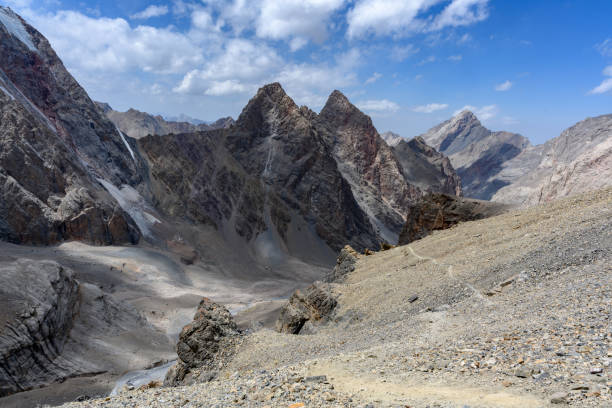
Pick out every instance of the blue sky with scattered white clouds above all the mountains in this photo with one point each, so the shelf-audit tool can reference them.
(533, 67)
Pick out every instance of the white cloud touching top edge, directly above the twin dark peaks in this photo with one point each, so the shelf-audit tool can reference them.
(304, 19)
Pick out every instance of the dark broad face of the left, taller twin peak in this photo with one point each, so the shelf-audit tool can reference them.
(269, 172)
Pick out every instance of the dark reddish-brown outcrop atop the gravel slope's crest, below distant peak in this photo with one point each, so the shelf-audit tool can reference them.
(441, 211)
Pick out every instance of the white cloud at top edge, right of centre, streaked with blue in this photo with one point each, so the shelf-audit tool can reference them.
(401, 17)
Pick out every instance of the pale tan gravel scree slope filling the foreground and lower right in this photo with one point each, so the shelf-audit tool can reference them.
(512, 311)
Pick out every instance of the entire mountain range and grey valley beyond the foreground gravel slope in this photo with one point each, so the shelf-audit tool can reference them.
(130, 219)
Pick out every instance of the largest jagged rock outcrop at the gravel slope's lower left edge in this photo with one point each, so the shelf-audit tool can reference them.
(203, 344)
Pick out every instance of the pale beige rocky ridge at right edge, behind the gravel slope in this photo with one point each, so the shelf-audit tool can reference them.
(578, 160)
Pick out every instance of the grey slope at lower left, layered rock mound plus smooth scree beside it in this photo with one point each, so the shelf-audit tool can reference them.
(54, 328)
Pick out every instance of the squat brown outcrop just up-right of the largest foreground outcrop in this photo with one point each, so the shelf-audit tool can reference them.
(315, 304)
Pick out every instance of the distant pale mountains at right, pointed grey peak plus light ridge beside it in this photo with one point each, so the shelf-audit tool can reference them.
(503, 166)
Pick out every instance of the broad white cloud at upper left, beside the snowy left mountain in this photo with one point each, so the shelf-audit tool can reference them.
(110, 44)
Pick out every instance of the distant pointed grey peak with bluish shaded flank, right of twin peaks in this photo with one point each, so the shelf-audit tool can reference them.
(477, 153)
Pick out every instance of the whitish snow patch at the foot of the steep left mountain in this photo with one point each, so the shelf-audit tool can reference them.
(134, 204)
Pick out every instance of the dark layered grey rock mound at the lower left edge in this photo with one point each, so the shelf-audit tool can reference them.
(40, 301)
